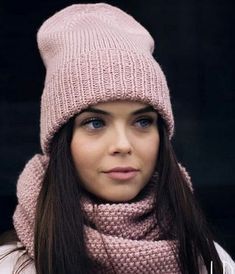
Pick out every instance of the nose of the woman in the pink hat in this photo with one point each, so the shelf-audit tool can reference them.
(120, 142)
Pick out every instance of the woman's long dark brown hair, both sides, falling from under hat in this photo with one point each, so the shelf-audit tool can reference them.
(59, 240)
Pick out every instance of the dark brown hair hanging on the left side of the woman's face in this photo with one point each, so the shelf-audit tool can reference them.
(59, 243)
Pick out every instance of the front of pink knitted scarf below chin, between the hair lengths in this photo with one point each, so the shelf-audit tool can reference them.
(130, 235)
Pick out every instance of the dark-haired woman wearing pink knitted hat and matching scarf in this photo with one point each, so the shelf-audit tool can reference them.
(107, 194)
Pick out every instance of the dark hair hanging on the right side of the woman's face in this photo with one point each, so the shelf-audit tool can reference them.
(175, 196)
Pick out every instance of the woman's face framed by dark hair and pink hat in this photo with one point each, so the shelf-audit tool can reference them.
(121, 135)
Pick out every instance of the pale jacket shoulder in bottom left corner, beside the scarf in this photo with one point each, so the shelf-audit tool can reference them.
(10, 259)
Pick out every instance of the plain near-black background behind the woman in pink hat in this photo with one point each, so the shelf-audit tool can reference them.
(194, 46)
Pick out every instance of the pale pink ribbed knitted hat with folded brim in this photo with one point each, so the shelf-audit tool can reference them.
(96, 53)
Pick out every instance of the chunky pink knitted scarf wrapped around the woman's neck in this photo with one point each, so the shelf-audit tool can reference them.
(129, 231)
